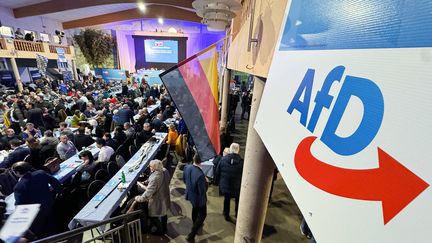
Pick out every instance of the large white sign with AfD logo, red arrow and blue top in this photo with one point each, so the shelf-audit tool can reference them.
(346, 115)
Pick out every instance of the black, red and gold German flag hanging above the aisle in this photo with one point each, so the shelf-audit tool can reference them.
(193, 86)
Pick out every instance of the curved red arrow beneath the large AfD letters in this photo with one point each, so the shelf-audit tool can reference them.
(392, 184)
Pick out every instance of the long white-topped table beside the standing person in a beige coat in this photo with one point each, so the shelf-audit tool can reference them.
(103, 204)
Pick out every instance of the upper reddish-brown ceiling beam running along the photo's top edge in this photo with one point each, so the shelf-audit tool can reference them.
(55, 6)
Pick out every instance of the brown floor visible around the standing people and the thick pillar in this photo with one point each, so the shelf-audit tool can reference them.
(282, 221)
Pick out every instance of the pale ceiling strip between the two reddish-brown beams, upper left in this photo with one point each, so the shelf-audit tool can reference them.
(81, 13)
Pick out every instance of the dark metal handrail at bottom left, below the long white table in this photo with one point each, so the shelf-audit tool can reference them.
(66, 235)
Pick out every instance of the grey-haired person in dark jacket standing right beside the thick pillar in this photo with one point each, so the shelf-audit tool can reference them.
(229, 172)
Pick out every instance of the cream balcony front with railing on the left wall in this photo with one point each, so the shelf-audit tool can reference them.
(10, 48)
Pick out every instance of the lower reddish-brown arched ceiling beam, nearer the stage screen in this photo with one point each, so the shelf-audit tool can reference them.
(153, 11)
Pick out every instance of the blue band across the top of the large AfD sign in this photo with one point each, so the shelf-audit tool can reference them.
(366, 24)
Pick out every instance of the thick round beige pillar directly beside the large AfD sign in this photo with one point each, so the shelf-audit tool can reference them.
(256, 181)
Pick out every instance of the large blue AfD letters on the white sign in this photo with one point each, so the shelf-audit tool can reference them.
(364, 89)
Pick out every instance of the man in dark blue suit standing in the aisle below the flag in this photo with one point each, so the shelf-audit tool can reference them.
(196, 193)
